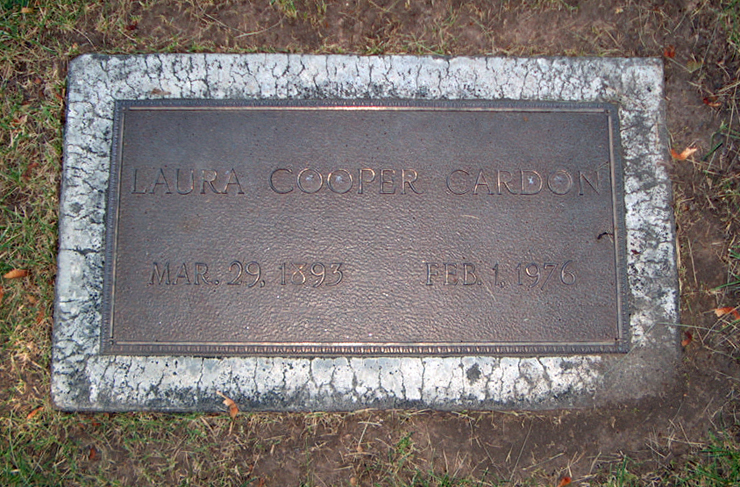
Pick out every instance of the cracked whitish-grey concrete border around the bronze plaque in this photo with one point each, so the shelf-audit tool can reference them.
(83, 379)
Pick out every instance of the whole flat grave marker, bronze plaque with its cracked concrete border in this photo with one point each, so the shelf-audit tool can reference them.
(339, 232)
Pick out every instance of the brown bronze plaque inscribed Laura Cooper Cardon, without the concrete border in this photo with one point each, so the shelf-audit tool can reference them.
(364, 228)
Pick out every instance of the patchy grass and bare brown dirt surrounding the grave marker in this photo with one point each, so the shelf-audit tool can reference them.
(41, 446)
